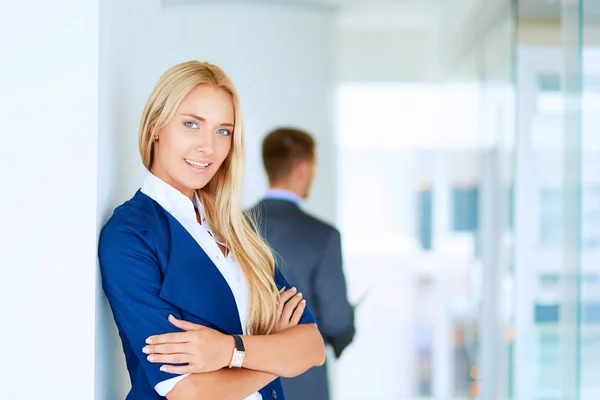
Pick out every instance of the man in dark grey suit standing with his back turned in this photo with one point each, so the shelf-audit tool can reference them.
(307, 250)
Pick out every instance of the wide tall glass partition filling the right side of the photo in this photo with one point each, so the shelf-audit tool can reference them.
(557, 203)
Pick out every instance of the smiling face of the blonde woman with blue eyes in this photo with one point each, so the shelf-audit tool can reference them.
(195, 142)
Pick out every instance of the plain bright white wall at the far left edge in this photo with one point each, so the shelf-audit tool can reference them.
(48, 109)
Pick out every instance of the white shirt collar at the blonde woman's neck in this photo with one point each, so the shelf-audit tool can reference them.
(171, 199)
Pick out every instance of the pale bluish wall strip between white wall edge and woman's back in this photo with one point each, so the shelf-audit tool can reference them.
(128, 71)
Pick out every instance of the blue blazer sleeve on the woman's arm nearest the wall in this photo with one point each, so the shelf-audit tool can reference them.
(131, 278)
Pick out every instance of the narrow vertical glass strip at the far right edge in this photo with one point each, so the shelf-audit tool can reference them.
(589, 124)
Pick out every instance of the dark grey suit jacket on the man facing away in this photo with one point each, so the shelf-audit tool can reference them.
(309, 253)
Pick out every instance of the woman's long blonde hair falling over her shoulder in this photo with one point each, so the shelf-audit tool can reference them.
(221, 197)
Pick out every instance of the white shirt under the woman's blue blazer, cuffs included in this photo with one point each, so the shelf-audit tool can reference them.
(183, 210)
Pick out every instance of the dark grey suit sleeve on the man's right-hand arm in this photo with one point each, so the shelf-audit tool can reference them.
(336, 315)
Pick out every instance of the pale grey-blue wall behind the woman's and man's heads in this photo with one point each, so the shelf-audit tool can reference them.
(280, 57)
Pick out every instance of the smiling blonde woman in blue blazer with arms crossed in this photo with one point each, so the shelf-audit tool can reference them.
(202, 311)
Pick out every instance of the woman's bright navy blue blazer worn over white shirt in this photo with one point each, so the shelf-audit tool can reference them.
(151, 267)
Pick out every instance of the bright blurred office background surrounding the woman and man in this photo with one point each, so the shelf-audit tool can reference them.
(458, 139)
